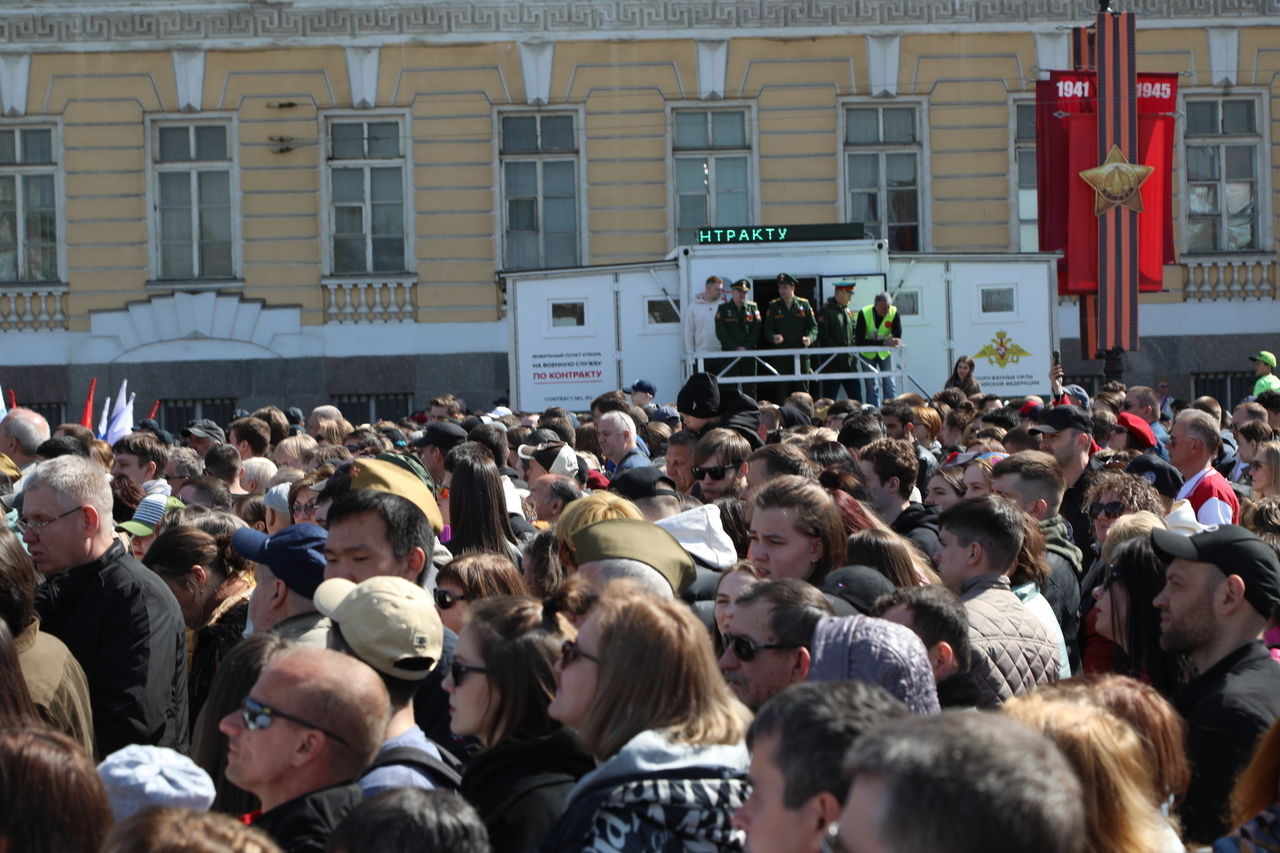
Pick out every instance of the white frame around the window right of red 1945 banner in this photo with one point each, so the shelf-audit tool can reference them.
(1263, 168)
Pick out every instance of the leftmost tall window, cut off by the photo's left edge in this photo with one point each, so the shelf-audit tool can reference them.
(29, 211)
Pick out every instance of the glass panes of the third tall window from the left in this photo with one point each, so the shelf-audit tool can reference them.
(367, 197)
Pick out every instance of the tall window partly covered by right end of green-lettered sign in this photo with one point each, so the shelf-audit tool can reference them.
(883, 174)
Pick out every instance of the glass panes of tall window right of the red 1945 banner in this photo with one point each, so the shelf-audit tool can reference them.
(1223, 166)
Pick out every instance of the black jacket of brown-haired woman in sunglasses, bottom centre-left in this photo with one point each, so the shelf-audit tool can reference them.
(520, 788)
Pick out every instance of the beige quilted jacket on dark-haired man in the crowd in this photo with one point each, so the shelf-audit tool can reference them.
(1012, 650)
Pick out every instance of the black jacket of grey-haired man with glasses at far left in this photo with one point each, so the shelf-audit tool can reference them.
(126, 630)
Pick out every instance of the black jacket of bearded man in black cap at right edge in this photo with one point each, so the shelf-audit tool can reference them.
(1227, 709)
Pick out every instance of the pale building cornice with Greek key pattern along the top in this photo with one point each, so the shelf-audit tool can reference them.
(72, 26)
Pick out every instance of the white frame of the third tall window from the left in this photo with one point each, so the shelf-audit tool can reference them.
(327, 165)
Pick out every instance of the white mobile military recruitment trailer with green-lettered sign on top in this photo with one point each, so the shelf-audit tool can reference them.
(577, 334)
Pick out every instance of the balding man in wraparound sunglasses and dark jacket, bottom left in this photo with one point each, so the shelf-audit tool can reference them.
(303, 737)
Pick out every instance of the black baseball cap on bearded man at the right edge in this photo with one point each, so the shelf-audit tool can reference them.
(1236, 551)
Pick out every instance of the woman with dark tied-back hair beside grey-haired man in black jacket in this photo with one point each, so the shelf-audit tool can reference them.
(212, 583)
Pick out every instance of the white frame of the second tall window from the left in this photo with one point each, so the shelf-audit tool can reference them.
(231, 122)
